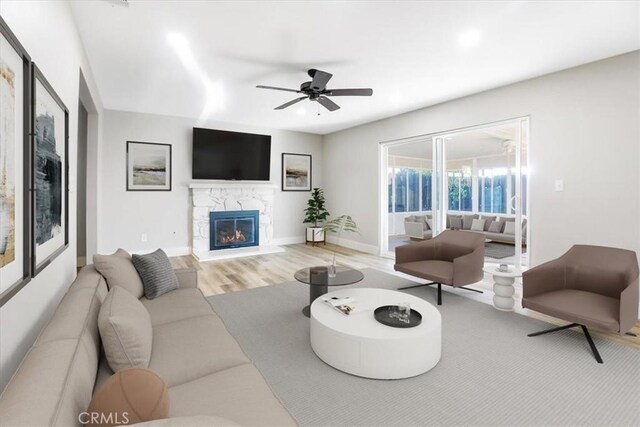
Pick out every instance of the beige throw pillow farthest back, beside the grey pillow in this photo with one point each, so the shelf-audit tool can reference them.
(118, 270)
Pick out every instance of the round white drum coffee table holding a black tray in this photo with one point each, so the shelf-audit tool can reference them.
(358, 344)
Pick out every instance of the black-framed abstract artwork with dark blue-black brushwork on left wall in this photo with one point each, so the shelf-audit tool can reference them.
(50, 173)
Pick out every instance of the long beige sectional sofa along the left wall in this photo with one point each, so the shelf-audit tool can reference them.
(205, 370)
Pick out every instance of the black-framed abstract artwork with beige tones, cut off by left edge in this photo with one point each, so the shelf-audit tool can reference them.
(15, 268)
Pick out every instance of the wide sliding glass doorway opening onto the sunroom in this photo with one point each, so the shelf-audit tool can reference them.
(471, 177)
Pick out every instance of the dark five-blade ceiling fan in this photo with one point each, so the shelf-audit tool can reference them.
(316, 90)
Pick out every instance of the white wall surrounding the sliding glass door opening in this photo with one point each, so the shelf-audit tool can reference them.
(585, 129)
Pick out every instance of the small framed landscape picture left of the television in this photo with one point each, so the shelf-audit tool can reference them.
(148, 166)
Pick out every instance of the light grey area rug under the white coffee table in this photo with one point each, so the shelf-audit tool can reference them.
(490, 373)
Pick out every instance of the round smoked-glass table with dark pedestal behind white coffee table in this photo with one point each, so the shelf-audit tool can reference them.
(319, 279)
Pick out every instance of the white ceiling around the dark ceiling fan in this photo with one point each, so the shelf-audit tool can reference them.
(410, 53)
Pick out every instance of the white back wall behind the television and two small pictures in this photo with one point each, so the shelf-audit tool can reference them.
(166, 216)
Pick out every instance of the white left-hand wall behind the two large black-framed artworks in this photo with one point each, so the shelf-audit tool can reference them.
(48, 33)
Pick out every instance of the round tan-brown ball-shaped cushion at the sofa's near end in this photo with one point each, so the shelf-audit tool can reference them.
(131, 396)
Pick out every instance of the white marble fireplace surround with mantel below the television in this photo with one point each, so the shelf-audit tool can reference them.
(231, 196)
